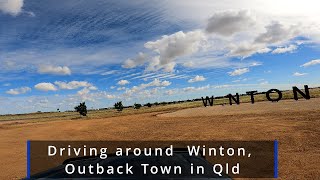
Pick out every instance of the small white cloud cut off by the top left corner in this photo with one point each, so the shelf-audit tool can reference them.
(12, 7)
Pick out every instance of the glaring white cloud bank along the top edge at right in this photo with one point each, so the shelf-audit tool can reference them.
(201, 10)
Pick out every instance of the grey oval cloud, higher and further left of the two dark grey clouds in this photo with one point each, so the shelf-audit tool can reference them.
(229, 22)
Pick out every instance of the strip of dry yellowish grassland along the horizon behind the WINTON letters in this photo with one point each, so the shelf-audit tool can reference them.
(51, 116)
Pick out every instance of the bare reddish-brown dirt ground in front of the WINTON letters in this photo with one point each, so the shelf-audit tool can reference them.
(294, 124)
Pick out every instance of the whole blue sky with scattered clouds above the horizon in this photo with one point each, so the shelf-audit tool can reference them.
(56, 54)
